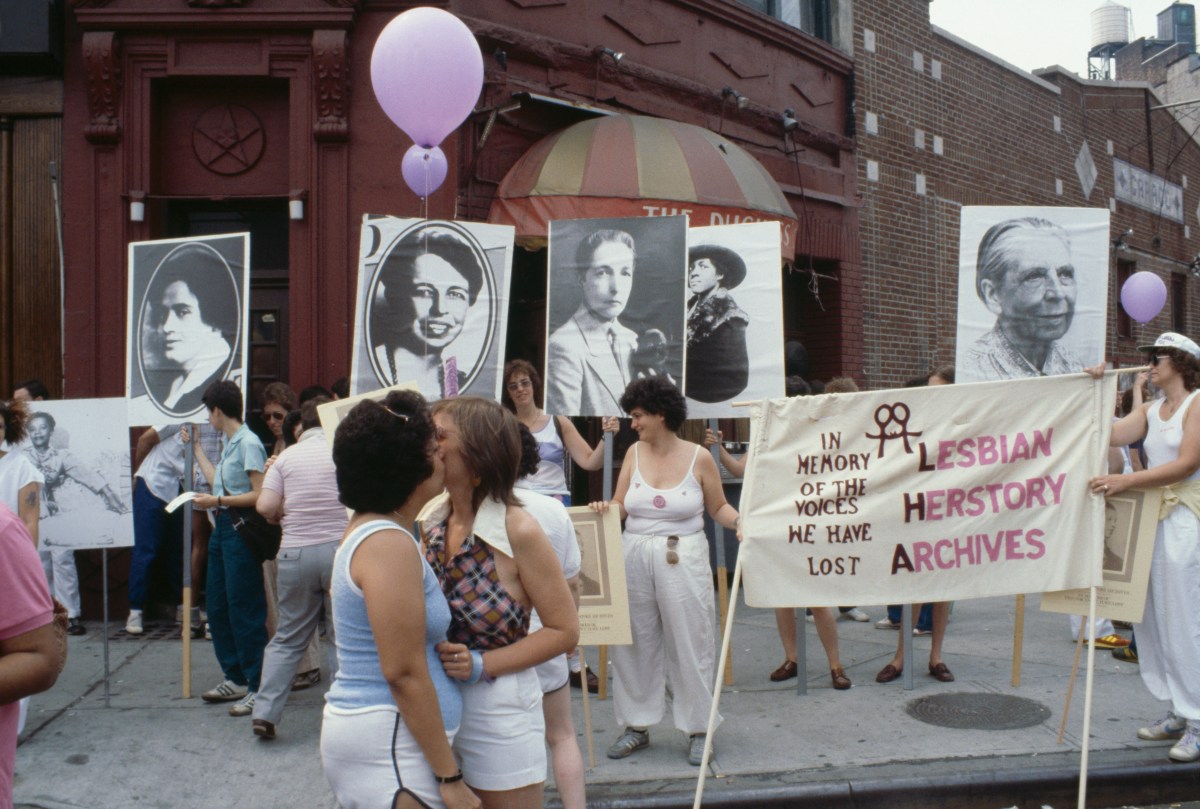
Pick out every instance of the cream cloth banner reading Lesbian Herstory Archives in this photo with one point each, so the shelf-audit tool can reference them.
(926, 494)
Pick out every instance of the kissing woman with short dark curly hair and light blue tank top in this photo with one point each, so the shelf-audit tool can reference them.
(392, 712)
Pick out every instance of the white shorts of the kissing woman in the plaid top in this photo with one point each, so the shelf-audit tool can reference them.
(502, 741)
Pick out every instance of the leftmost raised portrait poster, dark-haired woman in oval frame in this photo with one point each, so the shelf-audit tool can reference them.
(188, 308)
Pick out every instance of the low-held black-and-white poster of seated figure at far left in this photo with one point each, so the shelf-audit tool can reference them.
(82, 448)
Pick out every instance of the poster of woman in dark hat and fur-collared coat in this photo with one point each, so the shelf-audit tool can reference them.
(734, 271)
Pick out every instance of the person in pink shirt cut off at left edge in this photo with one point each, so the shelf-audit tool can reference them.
(33, 650)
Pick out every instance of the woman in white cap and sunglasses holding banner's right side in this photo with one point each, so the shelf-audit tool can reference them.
(1169, 636)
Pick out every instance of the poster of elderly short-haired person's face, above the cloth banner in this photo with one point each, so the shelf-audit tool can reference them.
(1034, 291)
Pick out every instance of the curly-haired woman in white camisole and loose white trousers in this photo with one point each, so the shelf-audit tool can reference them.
(665, 487)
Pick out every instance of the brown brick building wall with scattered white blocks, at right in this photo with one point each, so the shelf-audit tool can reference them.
(943, 124)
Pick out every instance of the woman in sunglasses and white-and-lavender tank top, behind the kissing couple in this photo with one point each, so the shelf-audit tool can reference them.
(556, 436)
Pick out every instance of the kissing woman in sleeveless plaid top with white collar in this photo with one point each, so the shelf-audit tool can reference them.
(496, 565)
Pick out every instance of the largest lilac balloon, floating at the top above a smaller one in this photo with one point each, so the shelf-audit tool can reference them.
(428, 73)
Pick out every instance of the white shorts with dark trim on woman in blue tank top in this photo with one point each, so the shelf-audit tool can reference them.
(357, 753)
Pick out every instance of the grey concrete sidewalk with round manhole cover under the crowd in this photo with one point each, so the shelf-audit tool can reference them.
(776, 748)
